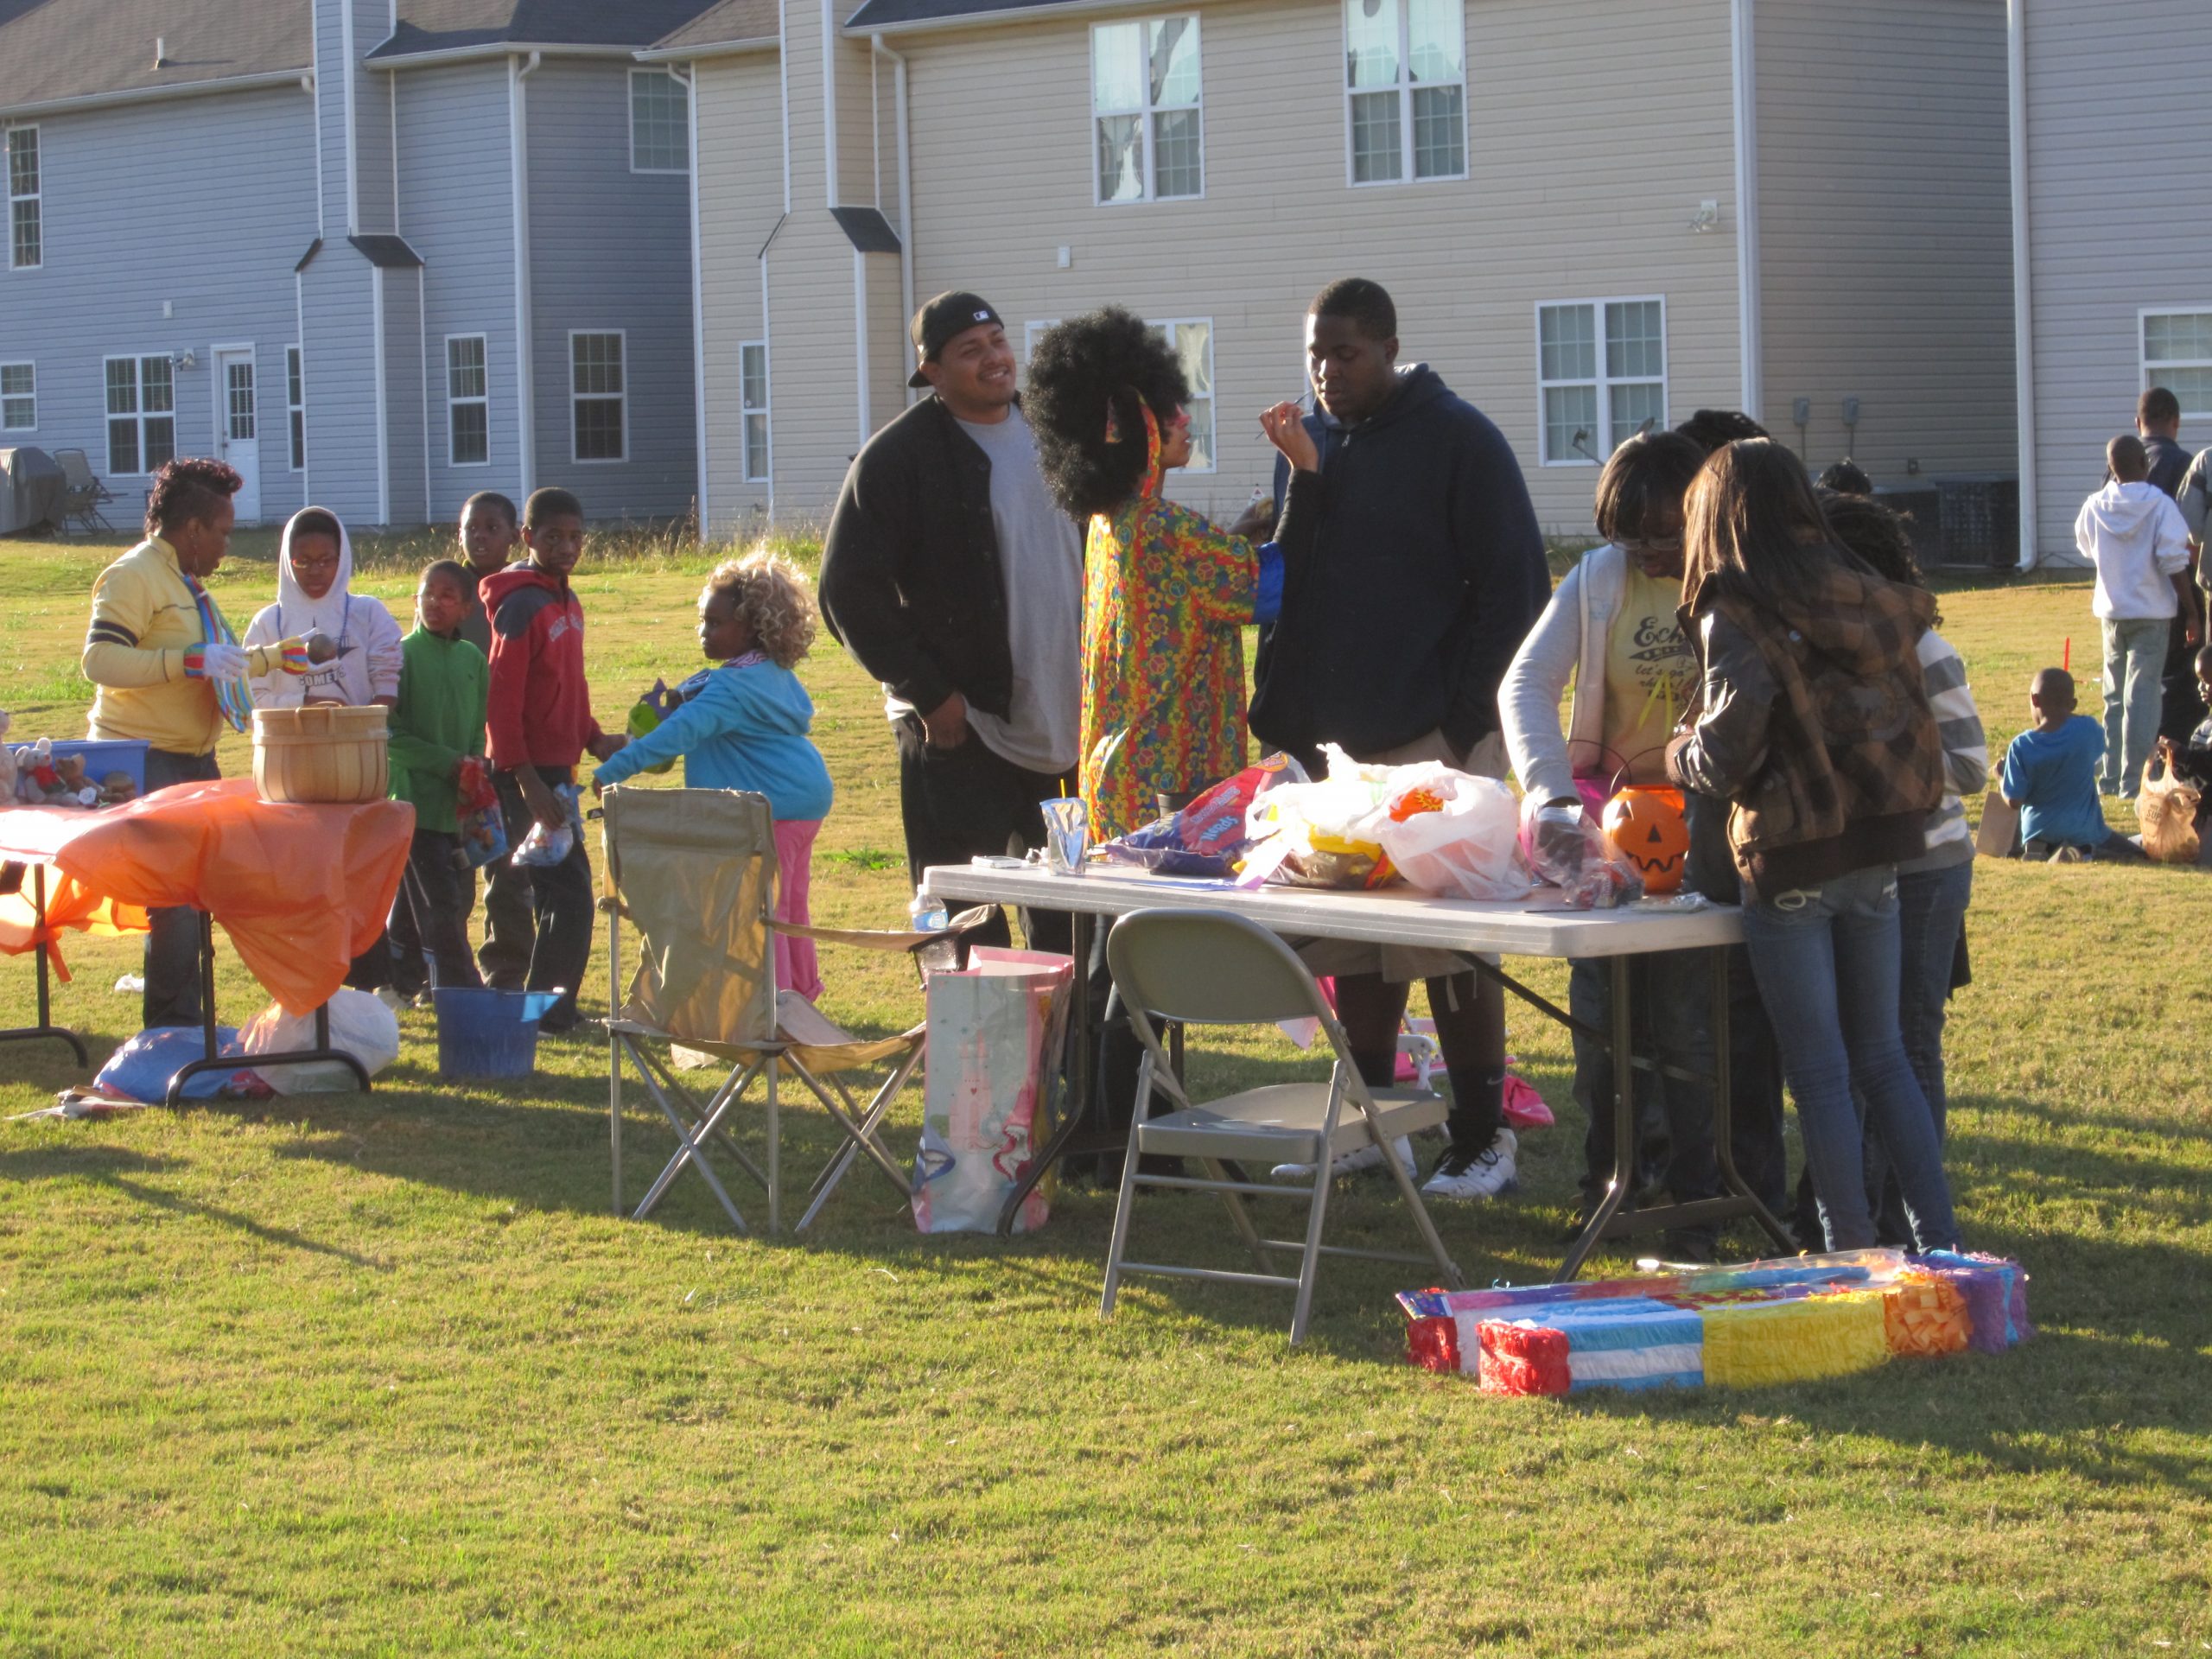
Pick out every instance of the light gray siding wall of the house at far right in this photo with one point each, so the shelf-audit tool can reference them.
(2118, 222)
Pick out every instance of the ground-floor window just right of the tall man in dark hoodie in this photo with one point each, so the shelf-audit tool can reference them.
(1598, 390)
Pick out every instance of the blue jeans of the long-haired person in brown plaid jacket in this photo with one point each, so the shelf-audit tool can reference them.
(1828, 966)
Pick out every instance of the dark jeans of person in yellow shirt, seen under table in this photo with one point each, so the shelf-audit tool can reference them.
(1673, 1025)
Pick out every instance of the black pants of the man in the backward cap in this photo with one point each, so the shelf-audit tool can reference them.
(970, 802)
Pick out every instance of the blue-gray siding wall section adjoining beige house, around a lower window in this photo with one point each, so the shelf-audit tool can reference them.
(612, 251)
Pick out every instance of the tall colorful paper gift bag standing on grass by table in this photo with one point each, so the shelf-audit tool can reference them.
(994, 1047)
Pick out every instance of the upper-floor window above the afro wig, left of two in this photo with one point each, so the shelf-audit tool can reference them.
(1145, 105)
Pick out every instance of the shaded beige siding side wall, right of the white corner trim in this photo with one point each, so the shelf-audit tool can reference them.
(1886, 231)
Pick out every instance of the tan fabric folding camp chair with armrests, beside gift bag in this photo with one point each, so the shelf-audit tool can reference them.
(696, 873)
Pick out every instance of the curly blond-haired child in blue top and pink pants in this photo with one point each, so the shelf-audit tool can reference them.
(744, 727)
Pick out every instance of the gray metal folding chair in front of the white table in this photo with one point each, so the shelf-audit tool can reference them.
(1215, 968)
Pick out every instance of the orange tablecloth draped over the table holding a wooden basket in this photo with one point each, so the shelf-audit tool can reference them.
(300, 890)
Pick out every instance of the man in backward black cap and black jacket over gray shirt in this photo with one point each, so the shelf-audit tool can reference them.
(954, 581)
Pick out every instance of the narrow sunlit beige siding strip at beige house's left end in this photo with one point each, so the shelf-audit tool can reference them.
(740, 198)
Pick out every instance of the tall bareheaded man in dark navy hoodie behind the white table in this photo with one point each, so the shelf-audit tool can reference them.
(1399, 620)
